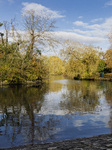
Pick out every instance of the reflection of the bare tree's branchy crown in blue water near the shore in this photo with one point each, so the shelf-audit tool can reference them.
(43, 129)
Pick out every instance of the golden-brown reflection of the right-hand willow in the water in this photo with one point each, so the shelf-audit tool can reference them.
(81, 96)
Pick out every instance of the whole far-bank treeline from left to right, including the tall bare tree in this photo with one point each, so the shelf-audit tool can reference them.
(21, 59)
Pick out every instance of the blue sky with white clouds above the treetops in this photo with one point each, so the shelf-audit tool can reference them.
(86, 21)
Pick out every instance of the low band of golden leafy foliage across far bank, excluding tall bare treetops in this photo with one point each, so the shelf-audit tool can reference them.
(78, 61)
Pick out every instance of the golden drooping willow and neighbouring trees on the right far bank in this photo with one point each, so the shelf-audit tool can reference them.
(85, 62)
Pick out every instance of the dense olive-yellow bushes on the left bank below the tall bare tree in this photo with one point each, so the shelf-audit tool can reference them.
(17, 68)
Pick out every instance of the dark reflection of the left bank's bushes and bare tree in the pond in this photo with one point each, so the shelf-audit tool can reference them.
(19, 107)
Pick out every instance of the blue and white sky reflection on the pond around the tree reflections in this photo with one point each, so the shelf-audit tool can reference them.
(53, 123)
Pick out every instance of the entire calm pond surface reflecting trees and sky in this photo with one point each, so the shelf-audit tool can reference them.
(58, 110)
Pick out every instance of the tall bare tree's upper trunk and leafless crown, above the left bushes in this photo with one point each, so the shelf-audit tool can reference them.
(37, 28)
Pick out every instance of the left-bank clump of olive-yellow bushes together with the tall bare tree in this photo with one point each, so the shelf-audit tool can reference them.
(21, 60)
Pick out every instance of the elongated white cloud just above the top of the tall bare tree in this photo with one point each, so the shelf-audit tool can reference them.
(40, 10)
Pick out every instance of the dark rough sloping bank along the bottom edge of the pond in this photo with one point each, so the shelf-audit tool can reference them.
(101, 142)
